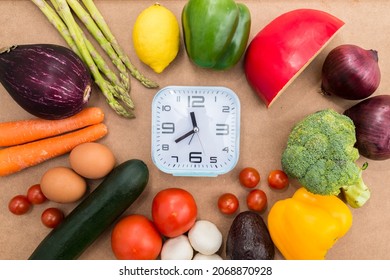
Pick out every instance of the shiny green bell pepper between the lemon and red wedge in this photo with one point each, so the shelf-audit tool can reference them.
(215, 32)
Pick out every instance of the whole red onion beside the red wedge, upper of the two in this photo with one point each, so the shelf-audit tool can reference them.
(350, 72)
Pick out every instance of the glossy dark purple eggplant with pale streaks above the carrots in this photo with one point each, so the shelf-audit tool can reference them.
(48, 81)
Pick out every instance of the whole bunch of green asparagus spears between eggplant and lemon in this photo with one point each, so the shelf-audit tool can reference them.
(115, 89)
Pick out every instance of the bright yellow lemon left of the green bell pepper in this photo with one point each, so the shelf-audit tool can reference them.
(156, 37)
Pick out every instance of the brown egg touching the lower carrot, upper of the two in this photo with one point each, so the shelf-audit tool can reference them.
(92, 160)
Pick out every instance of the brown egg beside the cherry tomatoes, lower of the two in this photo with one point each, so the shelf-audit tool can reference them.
(63, 185)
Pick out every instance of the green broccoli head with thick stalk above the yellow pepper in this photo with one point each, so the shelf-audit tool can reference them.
(320, 154)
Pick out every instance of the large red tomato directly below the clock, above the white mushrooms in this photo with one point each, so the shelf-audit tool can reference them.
(174, 211)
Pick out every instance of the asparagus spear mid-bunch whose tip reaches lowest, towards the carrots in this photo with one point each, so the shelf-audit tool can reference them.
(108, 91)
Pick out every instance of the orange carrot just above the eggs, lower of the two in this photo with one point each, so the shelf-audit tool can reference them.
(16, 158)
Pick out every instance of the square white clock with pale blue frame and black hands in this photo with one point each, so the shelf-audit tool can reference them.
(195, 130)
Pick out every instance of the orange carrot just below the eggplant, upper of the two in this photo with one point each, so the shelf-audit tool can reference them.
(24, 131)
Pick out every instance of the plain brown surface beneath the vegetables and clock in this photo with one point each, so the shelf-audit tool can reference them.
(263, 131)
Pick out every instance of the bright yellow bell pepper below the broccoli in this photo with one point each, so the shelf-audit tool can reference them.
(307, 225)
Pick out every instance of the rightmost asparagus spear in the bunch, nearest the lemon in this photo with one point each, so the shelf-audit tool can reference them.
(97, 16)
